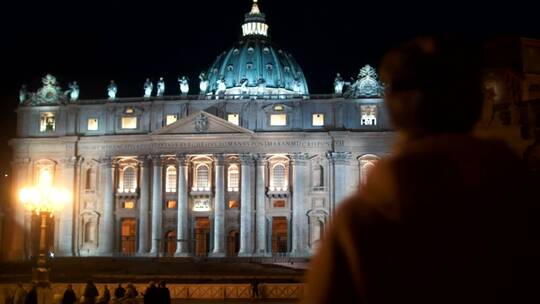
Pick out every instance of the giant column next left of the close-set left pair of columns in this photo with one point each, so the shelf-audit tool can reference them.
(106, 233)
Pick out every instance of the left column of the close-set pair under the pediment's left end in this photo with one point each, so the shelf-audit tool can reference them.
(144, 205)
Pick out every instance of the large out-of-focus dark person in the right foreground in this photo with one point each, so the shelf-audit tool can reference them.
(447, 218)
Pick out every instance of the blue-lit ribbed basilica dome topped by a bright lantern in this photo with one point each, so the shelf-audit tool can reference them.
(255, 66)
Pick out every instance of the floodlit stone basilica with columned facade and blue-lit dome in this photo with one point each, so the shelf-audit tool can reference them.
(250, 165)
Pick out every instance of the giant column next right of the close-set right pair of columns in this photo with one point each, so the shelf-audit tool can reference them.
(299, 217)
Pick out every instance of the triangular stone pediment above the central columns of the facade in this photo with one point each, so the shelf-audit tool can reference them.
(202, 123)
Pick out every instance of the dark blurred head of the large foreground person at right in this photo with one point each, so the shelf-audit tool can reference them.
(433, 86)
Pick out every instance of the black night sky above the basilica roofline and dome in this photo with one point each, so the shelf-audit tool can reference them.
(96, 41)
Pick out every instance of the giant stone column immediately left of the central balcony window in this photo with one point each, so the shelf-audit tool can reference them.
(182, 249)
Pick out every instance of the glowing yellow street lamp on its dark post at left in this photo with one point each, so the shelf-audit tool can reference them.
(43, 199)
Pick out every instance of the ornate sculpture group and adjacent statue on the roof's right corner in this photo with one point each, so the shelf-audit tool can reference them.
(366, 84)
